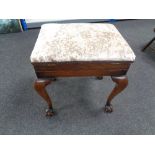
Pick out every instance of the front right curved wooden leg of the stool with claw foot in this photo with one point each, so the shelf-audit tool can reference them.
(121, 84)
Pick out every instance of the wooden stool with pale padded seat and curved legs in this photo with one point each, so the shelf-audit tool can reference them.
(74, 50)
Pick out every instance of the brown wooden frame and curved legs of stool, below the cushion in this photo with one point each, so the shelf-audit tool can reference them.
(47, 72)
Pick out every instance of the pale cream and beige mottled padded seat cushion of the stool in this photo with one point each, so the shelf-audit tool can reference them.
(80, 42)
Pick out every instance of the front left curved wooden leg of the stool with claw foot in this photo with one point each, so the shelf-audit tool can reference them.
(40, 86)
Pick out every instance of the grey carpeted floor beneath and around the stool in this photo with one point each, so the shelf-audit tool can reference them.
(79, 102)
